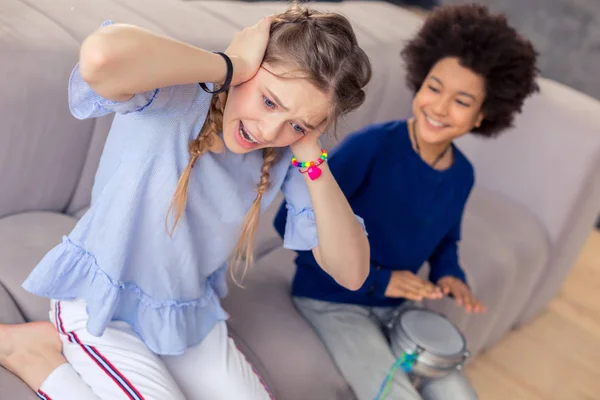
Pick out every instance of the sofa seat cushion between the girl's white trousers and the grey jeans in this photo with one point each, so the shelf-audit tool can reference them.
(297, 365)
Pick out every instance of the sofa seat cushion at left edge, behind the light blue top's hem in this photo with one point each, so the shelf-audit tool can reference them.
(24, 240)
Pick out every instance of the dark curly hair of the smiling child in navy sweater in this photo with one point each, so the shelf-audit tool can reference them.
(485, 44)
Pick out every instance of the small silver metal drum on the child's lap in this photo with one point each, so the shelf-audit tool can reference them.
(434, 345)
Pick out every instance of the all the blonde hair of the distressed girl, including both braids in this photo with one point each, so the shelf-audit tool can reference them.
(323, 47)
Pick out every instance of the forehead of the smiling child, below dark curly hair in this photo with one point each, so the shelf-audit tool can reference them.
(454, 76)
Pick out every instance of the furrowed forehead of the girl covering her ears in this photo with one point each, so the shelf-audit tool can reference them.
(295, 92)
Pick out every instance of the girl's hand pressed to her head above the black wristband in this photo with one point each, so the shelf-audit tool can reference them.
(247, 50)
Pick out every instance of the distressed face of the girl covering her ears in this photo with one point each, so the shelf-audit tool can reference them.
(271, 111)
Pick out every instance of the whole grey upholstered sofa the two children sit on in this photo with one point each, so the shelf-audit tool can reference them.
(536, 197)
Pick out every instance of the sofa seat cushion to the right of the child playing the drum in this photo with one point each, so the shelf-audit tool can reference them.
(503, 252)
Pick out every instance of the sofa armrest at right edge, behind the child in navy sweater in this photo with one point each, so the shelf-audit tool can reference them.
(550, 164)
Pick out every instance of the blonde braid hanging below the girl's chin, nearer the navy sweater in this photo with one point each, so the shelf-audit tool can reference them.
(245, 246)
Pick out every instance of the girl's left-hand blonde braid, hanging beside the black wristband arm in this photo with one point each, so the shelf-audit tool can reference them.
(208, 139)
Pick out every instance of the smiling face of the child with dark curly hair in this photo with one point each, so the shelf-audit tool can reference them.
(448, 104)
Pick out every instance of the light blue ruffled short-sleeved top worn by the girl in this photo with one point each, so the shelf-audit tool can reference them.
(120, 259)
